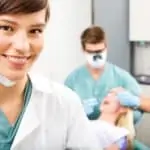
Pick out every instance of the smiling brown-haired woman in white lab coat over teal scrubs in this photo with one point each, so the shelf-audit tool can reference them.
(34, 113)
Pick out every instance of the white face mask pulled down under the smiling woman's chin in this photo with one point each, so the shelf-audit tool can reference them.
(6, 82)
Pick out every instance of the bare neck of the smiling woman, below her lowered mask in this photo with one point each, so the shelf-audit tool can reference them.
(14, 92)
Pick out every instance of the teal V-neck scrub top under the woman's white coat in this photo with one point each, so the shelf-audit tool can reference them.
(8, 131)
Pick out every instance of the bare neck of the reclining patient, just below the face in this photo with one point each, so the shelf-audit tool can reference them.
(110, 118)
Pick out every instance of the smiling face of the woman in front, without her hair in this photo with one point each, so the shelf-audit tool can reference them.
(21, 41)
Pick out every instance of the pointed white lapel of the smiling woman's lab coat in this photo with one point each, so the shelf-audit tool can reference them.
(28, 124)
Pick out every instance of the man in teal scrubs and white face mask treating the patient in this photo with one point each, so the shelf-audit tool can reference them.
(95, 79)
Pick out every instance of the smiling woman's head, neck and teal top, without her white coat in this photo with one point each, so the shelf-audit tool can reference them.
(21, 40)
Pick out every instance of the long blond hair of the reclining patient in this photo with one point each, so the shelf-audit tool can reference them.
(126, 121)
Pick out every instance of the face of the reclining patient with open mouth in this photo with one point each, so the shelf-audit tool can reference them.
(110, 104)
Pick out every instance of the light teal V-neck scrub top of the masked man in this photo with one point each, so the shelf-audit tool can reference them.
(92, 92)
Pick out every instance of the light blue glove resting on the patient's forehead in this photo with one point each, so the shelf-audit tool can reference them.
(129, 100)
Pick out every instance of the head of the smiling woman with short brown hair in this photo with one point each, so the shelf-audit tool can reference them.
(21, 35)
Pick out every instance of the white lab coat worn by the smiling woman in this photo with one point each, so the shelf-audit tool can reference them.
(54, 120)
